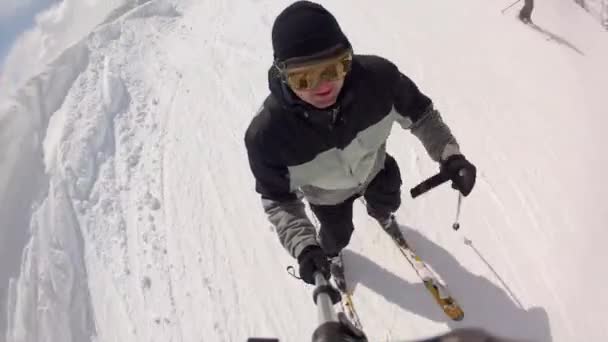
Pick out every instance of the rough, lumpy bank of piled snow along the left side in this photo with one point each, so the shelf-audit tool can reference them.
(80, 109)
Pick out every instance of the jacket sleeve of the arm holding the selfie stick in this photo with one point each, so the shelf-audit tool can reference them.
(284, 209)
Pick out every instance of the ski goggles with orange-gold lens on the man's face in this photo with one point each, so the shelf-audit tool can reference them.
(306, 76)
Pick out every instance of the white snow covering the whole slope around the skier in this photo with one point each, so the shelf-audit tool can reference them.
(125, 177)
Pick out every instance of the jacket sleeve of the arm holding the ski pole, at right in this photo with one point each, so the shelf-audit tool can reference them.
(419, 116)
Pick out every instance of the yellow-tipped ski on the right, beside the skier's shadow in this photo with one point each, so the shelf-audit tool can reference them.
(438, 290)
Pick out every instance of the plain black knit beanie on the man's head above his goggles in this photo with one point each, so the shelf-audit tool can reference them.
(303, 29)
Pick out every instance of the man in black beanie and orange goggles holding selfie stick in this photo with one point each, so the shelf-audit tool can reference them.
(321, 134)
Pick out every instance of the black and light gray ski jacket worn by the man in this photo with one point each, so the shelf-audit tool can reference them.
(329, 155)
